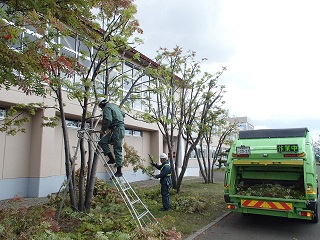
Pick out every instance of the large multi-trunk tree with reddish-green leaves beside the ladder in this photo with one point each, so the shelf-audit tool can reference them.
(41, 65)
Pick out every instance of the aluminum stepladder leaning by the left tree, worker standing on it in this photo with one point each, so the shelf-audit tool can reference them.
(138, 210)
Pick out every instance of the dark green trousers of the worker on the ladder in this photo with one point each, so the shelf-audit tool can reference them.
(116, 139)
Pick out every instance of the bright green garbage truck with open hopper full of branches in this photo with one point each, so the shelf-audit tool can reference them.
(273, 172)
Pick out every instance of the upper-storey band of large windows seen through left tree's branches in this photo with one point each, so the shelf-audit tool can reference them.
(126, 76)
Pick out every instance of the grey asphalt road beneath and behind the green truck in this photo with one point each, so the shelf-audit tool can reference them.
(238, 226)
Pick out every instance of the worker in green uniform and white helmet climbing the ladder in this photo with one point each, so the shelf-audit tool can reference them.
(113, 120)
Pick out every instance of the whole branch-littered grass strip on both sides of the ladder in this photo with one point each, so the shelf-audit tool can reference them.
(194, 207)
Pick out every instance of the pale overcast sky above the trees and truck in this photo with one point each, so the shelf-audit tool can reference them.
(271, 49)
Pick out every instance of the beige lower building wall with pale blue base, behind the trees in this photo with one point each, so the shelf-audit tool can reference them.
(32, 163)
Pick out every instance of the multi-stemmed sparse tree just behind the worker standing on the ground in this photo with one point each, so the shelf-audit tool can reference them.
(184, 104)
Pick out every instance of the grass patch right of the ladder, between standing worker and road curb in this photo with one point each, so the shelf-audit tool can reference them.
(194, 207)
